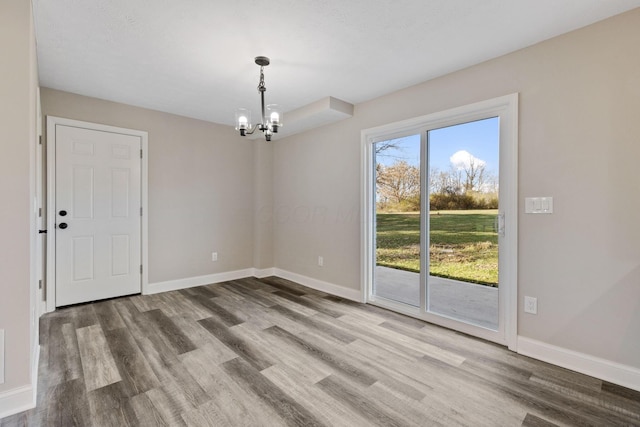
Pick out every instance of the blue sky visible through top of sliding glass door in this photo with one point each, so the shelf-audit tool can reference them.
(479, 138)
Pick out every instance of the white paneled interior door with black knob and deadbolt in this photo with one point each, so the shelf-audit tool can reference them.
(97, 214)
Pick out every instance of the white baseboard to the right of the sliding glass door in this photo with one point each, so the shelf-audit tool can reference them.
(624, 375)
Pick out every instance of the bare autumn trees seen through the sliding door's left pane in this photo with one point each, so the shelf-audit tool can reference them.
(398, 182)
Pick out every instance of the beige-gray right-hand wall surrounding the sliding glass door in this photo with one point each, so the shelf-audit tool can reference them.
(578, 142)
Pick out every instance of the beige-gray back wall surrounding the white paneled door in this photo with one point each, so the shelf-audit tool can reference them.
(201, 186)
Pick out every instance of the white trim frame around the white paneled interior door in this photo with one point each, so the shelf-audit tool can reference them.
(52, 122)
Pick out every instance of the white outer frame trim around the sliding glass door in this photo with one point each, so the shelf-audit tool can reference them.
(504, 106)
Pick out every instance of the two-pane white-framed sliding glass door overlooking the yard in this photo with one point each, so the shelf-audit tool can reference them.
(435, 226)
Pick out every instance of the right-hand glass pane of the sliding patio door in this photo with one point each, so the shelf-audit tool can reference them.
(463, 241)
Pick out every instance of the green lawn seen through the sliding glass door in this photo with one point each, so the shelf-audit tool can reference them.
(463, 245)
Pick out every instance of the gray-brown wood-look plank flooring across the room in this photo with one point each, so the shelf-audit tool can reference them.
(269, 352)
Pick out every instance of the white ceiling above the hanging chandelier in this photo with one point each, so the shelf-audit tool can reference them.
(195, 57)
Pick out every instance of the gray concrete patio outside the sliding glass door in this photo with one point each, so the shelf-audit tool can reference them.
(468, 302)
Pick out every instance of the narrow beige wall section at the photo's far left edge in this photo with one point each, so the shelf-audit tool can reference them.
(18, 85)
